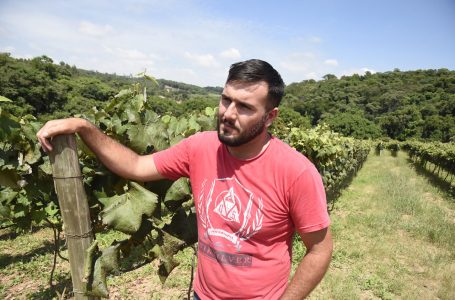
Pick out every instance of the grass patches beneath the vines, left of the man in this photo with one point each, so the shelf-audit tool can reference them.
(26, 263)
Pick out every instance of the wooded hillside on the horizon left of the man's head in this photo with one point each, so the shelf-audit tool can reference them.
(38, 86)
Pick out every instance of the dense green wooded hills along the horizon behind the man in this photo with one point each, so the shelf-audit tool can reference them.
(399, 105)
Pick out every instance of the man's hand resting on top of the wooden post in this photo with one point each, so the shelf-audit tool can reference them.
(57, 127)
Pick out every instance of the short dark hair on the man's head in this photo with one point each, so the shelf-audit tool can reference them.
(255, 70)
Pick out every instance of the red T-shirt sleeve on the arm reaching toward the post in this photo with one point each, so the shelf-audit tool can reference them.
(174, 162)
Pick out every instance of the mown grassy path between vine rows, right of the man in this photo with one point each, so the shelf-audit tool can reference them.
(394, 237)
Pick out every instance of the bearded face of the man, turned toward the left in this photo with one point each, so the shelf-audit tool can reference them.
(242, 114)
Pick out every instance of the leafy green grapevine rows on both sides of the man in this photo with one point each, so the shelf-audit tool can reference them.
(158, 218)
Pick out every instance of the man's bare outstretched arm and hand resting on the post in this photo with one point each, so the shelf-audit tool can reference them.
(115, 156)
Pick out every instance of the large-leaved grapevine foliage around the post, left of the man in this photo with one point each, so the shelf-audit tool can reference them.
(160, 223)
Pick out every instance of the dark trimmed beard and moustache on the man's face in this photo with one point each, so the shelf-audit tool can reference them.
(243, 137)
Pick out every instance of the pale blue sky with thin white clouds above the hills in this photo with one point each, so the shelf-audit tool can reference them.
(195, 41)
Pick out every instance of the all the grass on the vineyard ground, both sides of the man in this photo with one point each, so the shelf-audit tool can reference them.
(394, 236)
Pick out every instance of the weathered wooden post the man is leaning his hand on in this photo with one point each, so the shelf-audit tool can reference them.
(73, 206)
